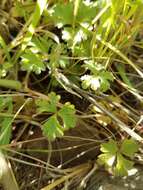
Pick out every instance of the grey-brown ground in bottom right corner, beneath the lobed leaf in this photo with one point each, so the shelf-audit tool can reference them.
(103, 181)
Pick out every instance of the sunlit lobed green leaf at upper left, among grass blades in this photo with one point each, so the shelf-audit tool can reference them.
(32, 62)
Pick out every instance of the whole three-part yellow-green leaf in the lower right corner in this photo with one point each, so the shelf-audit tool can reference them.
(118, 157)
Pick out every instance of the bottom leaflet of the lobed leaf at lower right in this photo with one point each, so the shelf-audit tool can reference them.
(122, 166)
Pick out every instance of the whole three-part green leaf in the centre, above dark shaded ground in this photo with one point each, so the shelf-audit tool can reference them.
(60, 120)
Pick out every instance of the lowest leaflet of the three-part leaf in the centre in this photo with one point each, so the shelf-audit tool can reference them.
(52, 128)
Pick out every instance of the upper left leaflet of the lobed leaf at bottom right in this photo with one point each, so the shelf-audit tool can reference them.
(109, 147)
